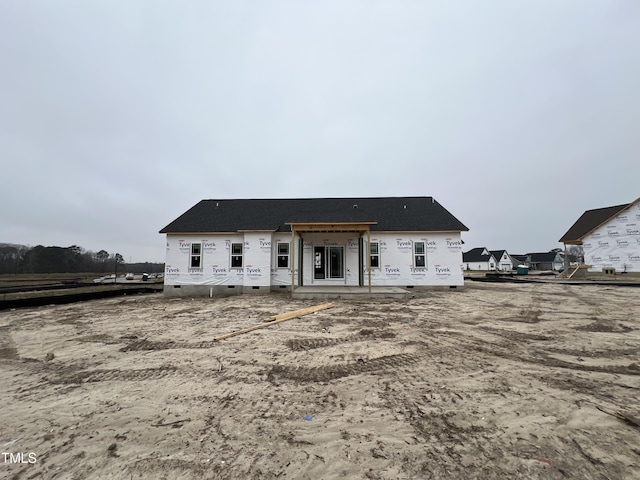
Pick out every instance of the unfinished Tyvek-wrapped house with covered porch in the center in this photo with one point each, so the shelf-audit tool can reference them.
(257, 245)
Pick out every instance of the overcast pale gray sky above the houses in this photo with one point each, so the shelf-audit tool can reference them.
(118, 116)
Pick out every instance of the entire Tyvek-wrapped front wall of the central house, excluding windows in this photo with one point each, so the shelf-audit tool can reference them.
(259, 272)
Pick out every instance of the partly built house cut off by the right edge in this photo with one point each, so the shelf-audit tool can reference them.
(610, 237)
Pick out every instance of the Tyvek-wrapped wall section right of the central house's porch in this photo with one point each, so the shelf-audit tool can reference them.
(443, 262)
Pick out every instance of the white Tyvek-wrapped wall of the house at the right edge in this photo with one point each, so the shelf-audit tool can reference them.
(616, 244)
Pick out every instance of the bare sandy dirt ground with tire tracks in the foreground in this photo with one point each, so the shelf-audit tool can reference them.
(494, 381)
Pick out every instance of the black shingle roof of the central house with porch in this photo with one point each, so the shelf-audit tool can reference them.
(391, 213)
